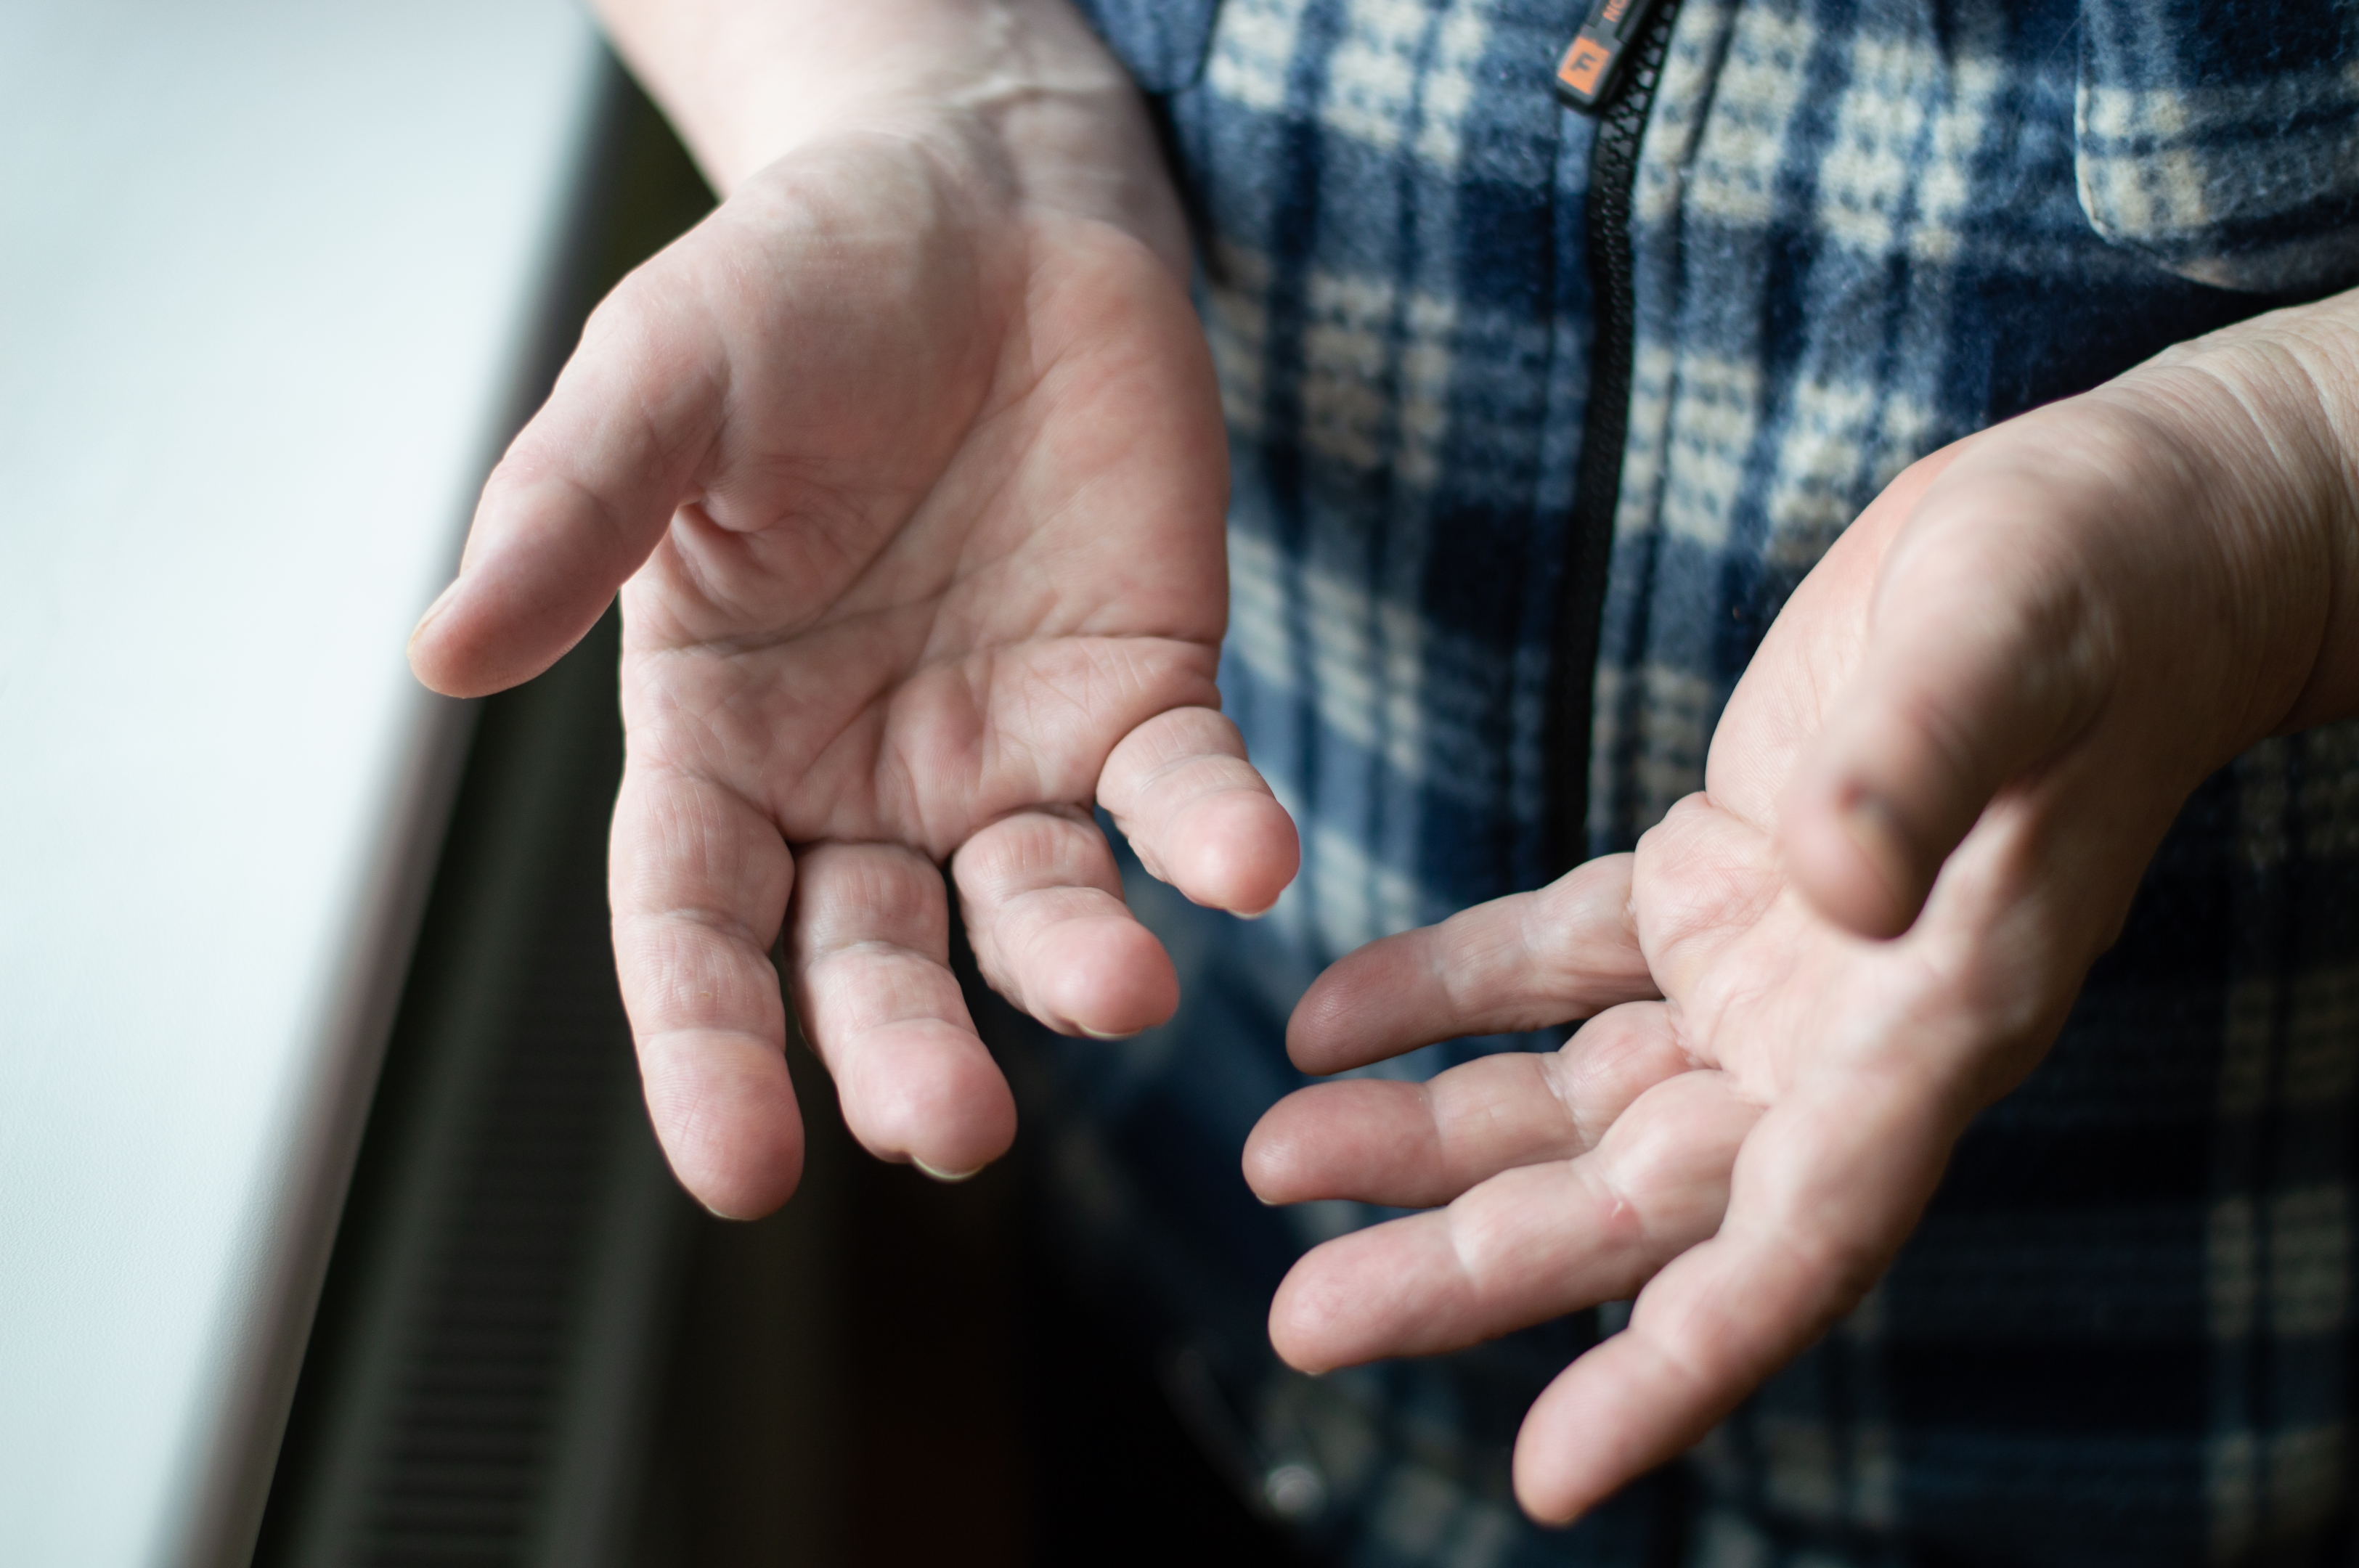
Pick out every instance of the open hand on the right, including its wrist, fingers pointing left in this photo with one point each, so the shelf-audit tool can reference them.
(1926, 815)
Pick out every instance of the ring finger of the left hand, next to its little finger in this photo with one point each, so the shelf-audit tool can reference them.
(1044, 909)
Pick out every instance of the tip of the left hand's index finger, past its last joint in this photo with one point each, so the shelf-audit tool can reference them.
(725, 1116)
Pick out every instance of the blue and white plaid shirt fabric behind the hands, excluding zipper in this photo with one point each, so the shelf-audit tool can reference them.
(1862, 230)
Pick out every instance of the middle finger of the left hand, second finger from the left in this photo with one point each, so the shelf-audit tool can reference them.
(869, 951)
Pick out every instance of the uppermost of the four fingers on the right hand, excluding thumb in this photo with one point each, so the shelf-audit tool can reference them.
(1530, 961)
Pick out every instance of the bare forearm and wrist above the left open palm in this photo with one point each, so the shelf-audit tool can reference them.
(1018, 93)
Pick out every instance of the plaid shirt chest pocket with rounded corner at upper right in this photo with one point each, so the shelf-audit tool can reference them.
(2223, 140)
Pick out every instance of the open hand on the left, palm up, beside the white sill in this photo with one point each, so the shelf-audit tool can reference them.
(912, 470)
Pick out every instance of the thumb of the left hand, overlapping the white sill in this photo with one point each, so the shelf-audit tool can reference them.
(584, 494)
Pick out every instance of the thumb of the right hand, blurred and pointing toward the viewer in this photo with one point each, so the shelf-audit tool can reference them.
(1985, 657)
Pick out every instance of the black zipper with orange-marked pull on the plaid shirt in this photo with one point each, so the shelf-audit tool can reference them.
(1636, 37)
